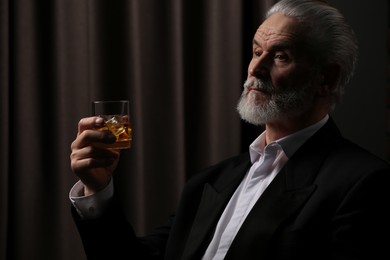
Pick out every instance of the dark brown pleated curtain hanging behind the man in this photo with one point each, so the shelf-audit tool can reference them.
(180, 63)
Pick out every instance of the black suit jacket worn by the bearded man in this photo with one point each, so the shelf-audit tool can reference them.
(328, 202)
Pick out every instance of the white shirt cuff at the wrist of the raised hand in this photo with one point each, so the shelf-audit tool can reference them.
(91, 206)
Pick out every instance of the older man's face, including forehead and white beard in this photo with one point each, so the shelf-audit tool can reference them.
(281, 78)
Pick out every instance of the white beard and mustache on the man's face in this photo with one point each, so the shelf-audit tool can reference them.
(277, 104)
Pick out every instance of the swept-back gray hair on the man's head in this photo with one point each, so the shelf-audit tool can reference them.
(331, 38)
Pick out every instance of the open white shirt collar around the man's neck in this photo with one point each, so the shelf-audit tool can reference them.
(289, 144)
